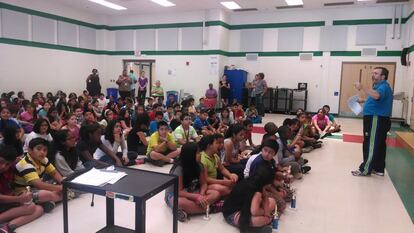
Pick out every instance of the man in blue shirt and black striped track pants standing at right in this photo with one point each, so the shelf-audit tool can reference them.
(377, 112)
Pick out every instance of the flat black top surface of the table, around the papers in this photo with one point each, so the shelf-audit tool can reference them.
(138, 183)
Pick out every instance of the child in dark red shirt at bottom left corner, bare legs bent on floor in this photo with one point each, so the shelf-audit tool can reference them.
(15, 211)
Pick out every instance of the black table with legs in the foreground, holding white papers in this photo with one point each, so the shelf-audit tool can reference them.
(137, 186)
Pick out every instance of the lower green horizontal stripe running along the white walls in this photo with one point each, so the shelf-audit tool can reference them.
(188, 52)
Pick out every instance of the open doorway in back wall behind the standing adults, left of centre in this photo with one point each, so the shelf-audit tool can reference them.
(148, 66)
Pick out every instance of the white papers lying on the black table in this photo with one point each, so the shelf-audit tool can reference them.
(96, 177)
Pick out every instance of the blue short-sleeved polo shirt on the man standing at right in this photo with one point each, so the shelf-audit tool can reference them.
(383, 105)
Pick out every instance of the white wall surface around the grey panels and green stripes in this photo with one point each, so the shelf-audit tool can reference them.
(39, 69)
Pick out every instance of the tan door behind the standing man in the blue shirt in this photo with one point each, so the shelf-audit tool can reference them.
(359, 72)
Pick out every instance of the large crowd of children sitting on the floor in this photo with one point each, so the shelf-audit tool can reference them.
(41, 144)
